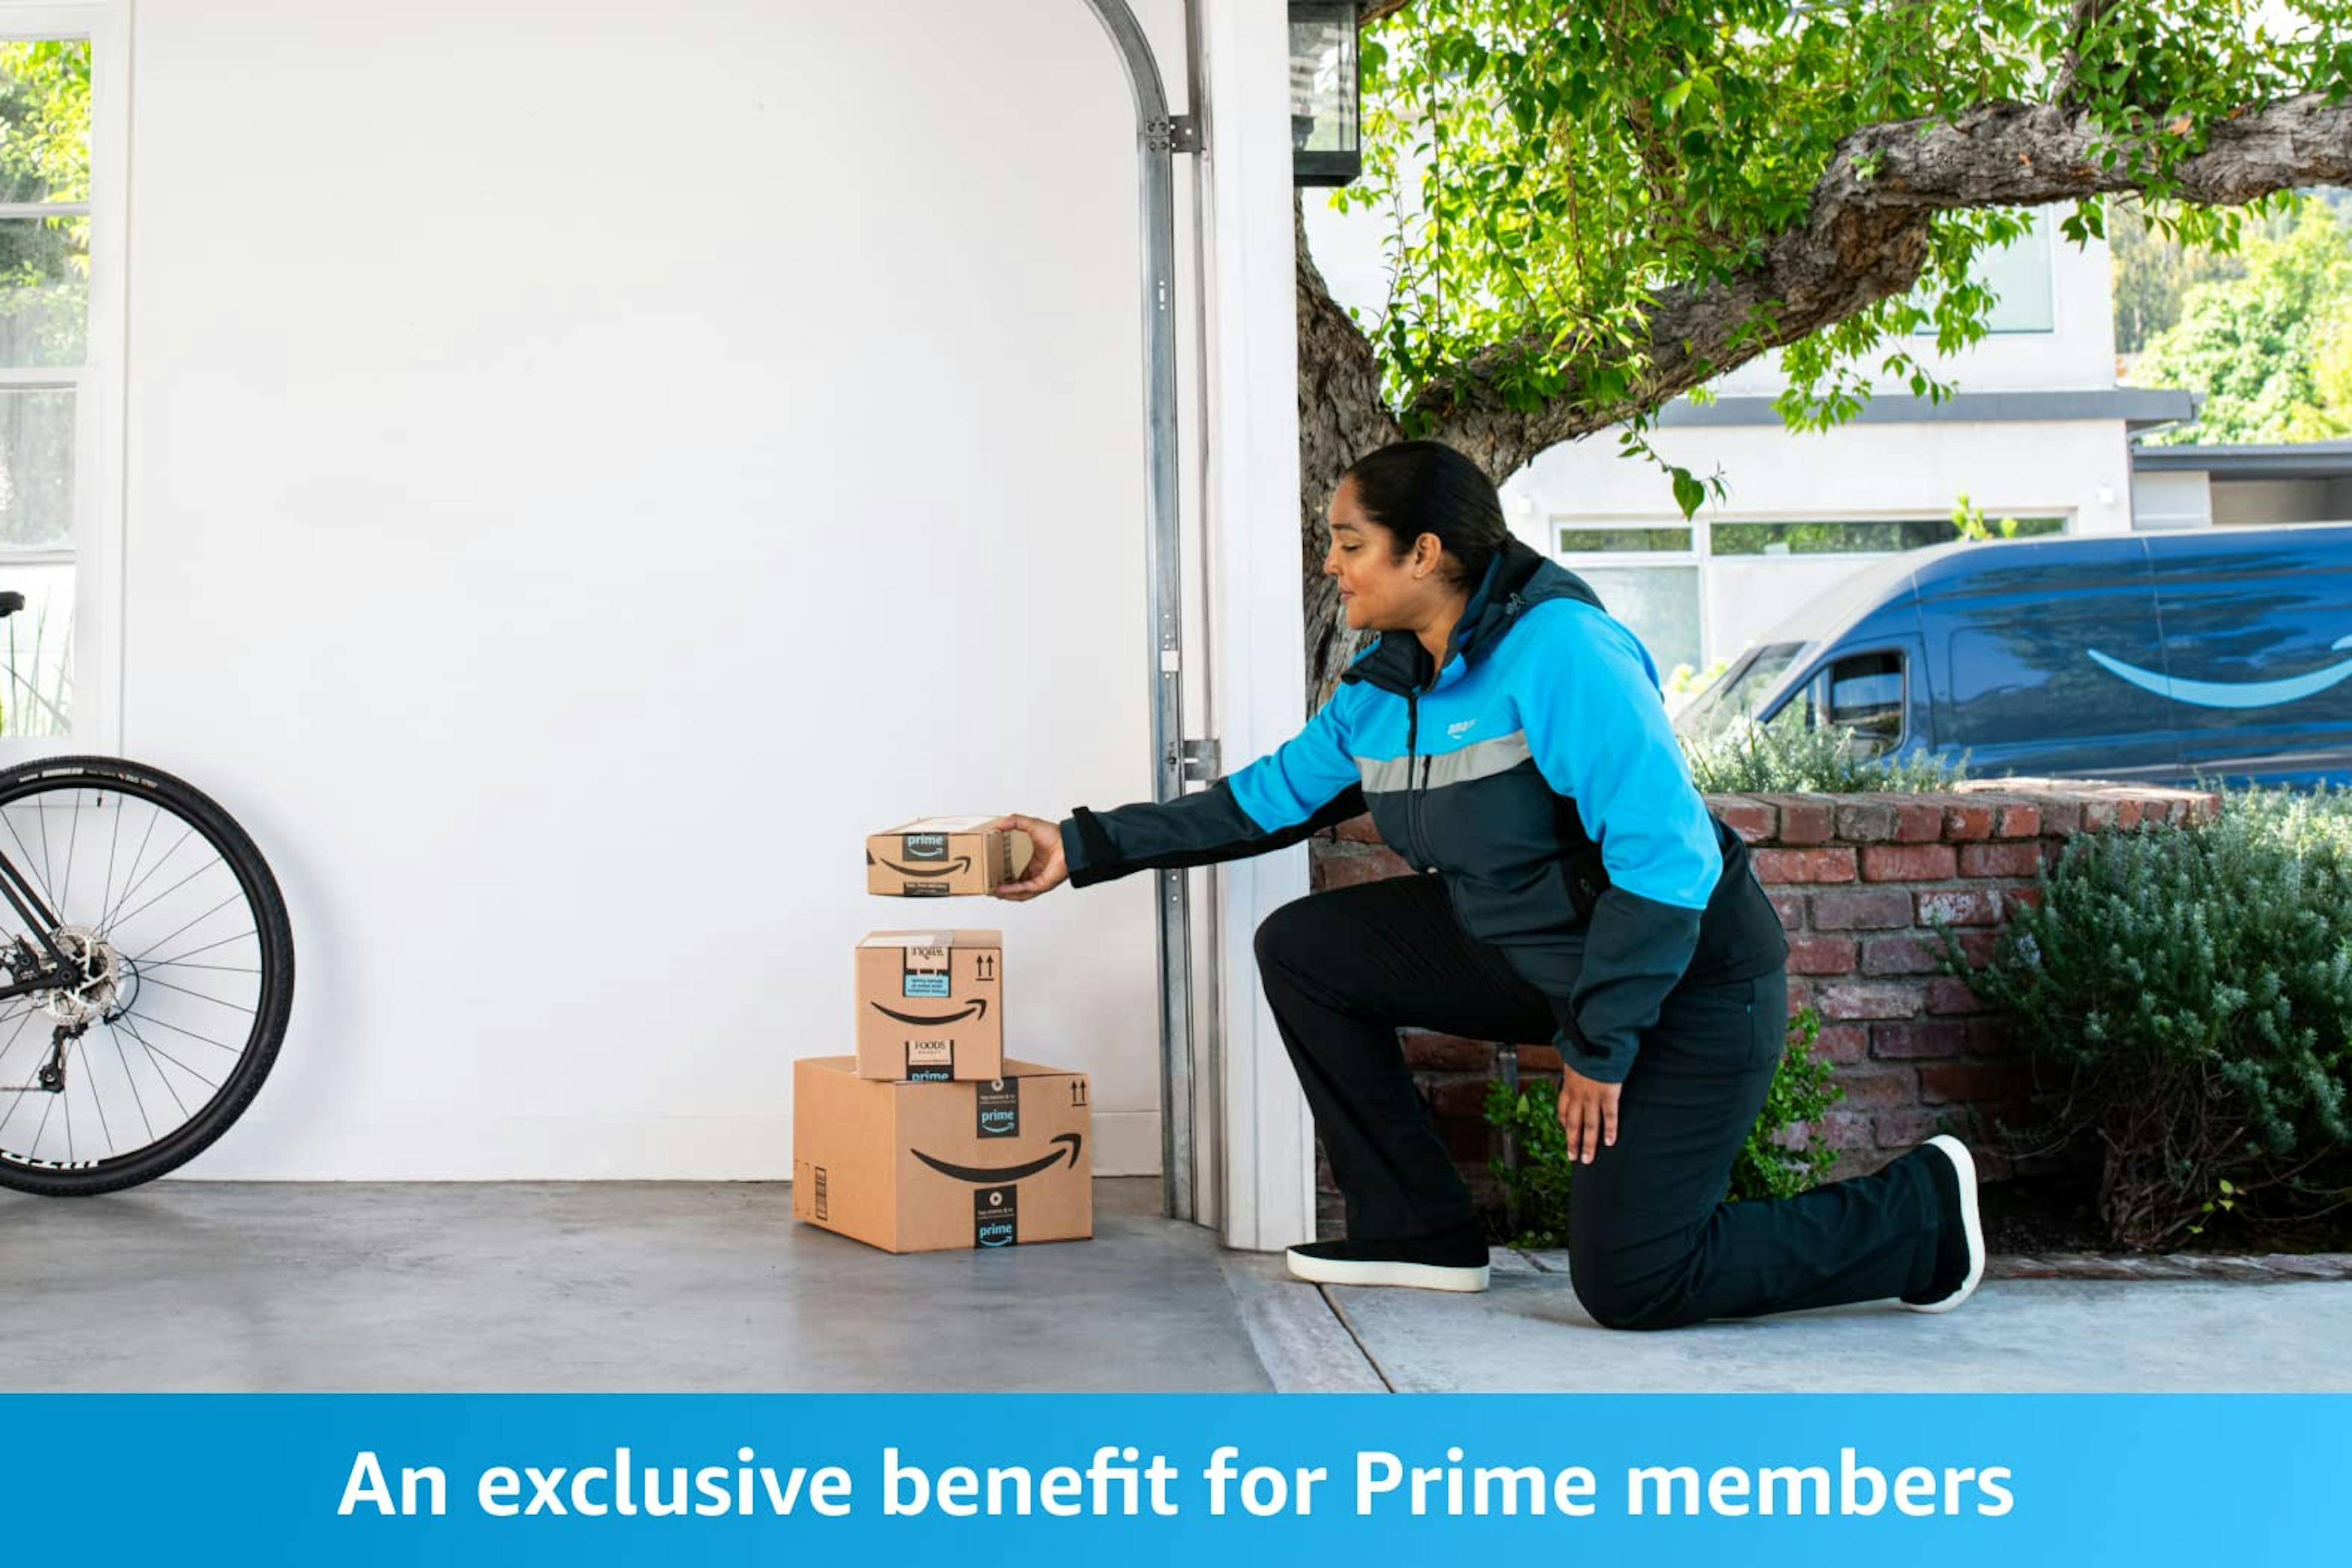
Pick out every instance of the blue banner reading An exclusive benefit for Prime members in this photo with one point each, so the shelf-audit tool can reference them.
(683, 1480)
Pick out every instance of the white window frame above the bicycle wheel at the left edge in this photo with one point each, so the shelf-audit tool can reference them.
(98, 382)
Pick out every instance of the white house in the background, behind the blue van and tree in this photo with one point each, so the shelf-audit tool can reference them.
(2038, 431)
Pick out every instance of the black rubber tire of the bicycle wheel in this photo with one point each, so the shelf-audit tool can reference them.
(274, 942)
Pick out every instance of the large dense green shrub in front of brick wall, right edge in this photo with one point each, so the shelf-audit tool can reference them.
(2191, 991)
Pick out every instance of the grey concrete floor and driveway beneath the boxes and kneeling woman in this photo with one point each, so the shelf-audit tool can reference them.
(714, 1287)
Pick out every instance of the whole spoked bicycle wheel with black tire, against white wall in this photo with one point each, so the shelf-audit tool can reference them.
(182, 991)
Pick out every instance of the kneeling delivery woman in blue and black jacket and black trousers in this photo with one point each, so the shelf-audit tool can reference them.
(1511, 742)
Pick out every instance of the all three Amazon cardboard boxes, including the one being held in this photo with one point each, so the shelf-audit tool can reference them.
(930, 1137)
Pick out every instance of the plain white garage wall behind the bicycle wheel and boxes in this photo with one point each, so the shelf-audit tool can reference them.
(589, 467)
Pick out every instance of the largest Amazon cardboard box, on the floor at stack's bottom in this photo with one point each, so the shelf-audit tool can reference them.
(935, 1167)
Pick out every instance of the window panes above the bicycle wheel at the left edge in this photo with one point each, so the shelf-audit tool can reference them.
(44, 363)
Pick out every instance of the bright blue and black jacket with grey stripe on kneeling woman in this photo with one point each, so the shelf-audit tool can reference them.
(1537, 775)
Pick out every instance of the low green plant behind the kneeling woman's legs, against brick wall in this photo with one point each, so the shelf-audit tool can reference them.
(1784, 1153)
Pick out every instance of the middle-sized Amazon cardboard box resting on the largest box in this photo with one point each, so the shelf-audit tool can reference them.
(933, 1005)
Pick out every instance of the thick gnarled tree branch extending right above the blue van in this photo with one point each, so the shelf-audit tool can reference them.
(1866, 236)
